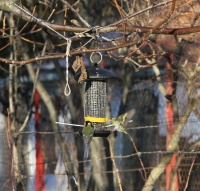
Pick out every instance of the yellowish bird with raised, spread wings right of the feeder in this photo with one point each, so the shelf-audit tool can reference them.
(122, 121)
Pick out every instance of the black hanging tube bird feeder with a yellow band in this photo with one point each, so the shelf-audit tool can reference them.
(95, 99)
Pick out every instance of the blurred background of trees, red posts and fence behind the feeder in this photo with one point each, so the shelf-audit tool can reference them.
(159, 77)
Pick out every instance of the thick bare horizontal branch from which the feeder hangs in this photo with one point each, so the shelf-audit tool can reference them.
(11, 7)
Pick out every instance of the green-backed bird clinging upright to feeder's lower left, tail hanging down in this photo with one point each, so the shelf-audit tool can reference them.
(87, 132)
